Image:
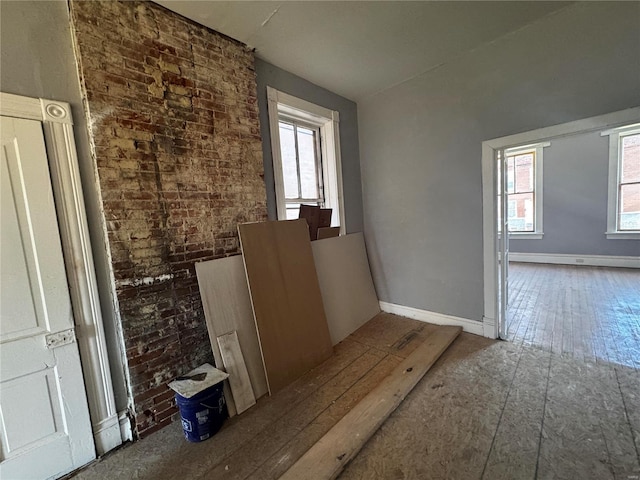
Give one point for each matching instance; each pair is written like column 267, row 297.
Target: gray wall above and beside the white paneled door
column 37, row 60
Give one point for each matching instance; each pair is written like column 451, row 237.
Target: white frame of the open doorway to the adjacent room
column 489, row 198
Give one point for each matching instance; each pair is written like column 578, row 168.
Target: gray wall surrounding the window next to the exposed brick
column 270, row 75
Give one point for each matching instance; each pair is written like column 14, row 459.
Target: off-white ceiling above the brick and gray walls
column 359, row 48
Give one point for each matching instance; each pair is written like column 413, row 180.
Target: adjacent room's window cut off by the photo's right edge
column 623, row 214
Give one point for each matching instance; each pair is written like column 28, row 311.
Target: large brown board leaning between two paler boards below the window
column 285, row 294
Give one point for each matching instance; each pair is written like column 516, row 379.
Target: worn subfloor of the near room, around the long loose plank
column 487, row 409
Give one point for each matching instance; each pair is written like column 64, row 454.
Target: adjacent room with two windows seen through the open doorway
column 573, row 244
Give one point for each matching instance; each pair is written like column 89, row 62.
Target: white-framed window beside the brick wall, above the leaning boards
column 305, row 146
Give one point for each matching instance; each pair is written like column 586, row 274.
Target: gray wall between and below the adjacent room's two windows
column 575, row 189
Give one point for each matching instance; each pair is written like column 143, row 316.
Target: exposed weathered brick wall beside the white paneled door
column 174, row 124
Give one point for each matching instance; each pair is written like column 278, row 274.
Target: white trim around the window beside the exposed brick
column 329, row 123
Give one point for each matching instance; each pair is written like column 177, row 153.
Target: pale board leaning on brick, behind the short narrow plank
column 227, row 307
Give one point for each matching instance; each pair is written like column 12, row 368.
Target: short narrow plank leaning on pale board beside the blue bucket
column 238, row 376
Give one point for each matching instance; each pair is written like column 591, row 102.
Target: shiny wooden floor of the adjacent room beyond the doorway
column 591, row 313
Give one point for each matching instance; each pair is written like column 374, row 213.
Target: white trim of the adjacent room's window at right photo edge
column 612, row 232
